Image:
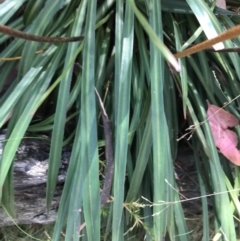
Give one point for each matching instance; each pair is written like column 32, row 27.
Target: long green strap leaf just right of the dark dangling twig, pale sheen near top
column 122, row 104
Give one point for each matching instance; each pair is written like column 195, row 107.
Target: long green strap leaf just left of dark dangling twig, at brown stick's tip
column 89, row 147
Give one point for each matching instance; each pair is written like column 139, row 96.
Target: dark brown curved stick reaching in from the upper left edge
column 19, row 34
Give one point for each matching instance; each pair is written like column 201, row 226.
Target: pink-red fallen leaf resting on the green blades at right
column 225, row 140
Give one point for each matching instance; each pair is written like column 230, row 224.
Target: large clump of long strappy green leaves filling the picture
column 127, row 54
